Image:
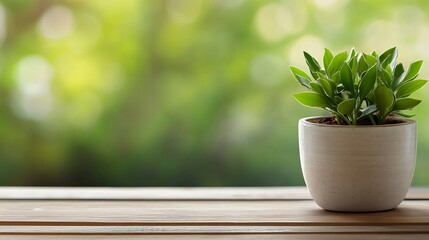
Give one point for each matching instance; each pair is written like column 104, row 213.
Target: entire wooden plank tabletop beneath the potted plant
column 198, row 213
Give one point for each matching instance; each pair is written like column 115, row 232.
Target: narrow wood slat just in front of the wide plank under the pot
column 180, row 230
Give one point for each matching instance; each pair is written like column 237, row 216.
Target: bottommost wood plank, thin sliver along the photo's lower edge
column 222, row 237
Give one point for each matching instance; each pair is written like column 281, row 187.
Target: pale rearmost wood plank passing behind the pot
column 167, row 193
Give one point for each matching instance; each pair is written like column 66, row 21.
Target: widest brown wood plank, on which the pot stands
column 245, row 213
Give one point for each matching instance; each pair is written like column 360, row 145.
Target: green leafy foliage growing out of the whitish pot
column 359, row 88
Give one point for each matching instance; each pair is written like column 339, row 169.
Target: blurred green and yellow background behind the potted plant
column 178, row 92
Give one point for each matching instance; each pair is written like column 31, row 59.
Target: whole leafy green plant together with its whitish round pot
column 362, row 158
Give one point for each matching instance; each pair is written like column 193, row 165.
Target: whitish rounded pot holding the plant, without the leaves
column 357, row 168
